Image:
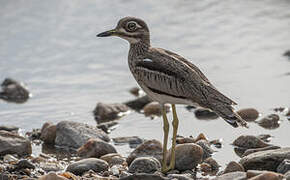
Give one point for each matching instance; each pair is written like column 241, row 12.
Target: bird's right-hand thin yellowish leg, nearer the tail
column 175, row 127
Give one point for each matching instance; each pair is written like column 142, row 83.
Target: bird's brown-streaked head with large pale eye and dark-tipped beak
column 132, row 29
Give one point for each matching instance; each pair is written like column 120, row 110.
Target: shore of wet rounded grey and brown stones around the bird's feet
column 74, row 150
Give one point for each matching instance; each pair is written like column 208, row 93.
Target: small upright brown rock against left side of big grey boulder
column 48, row 133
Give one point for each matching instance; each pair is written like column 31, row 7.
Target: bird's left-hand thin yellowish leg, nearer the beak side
column 165, row 139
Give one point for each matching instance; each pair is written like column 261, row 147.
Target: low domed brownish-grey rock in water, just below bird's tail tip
column 249, row 141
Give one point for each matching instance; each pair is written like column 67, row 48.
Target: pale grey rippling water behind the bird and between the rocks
column 51, row 46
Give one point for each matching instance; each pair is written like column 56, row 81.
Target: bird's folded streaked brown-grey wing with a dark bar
column 171, row 74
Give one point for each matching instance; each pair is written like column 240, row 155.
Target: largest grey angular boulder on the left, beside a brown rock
column 74, row 134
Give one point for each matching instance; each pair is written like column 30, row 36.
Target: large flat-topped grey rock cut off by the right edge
column 265, row 160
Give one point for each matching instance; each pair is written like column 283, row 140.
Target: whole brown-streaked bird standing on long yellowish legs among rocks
column 167, row 77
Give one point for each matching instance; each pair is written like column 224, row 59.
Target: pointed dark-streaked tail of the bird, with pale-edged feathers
column 230, row 116
